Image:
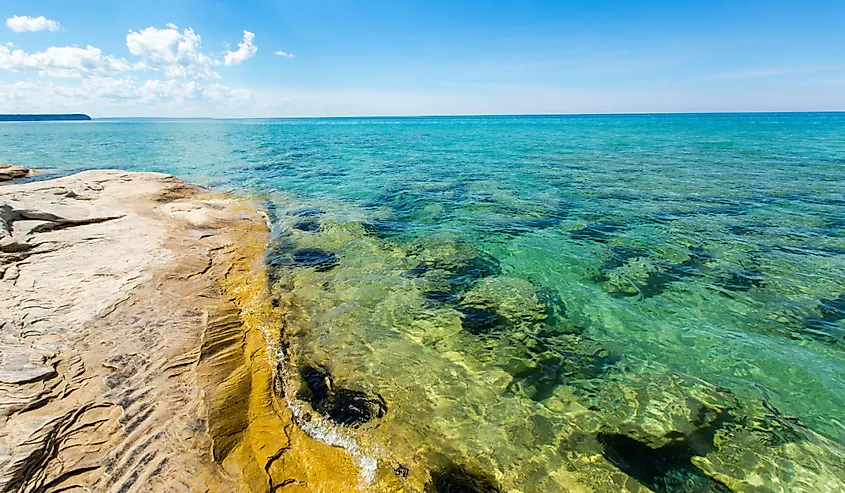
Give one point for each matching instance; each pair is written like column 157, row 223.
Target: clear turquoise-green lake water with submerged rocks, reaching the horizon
column 539, row 298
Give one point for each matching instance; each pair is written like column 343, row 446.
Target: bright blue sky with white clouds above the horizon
column 433, row 57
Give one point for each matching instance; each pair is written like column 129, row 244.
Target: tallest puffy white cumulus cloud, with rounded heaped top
column 177, row 54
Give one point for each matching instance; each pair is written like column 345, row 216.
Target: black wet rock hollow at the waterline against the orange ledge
column 344, row 407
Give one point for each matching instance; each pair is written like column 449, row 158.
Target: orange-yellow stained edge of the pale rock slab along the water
column 255, row 438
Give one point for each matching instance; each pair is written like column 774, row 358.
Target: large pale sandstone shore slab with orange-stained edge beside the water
column 134, row 326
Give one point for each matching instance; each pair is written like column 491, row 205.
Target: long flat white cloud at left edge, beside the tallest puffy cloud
column 62, row 62
